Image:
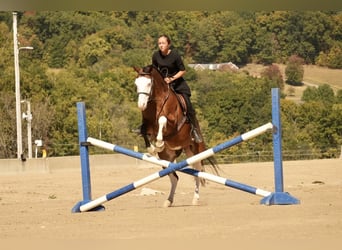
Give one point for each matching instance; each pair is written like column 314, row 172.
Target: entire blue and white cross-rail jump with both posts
column 278, row 197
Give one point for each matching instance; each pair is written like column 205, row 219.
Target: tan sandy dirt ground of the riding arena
column 36, row 205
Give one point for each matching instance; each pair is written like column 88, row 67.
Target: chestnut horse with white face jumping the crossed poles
column 166, row 130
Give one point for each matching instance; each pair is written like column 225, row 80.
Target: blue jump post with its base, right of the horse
column 278, row 197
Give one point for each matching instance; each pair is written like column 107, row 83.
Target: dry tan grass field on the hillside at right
column 313, row 76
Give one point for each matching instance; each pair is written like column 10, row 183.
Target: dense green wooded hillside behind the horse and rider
column 89, row 56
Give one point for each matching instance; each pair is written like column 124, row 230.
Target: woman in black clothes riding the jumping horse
column 171, row 65
